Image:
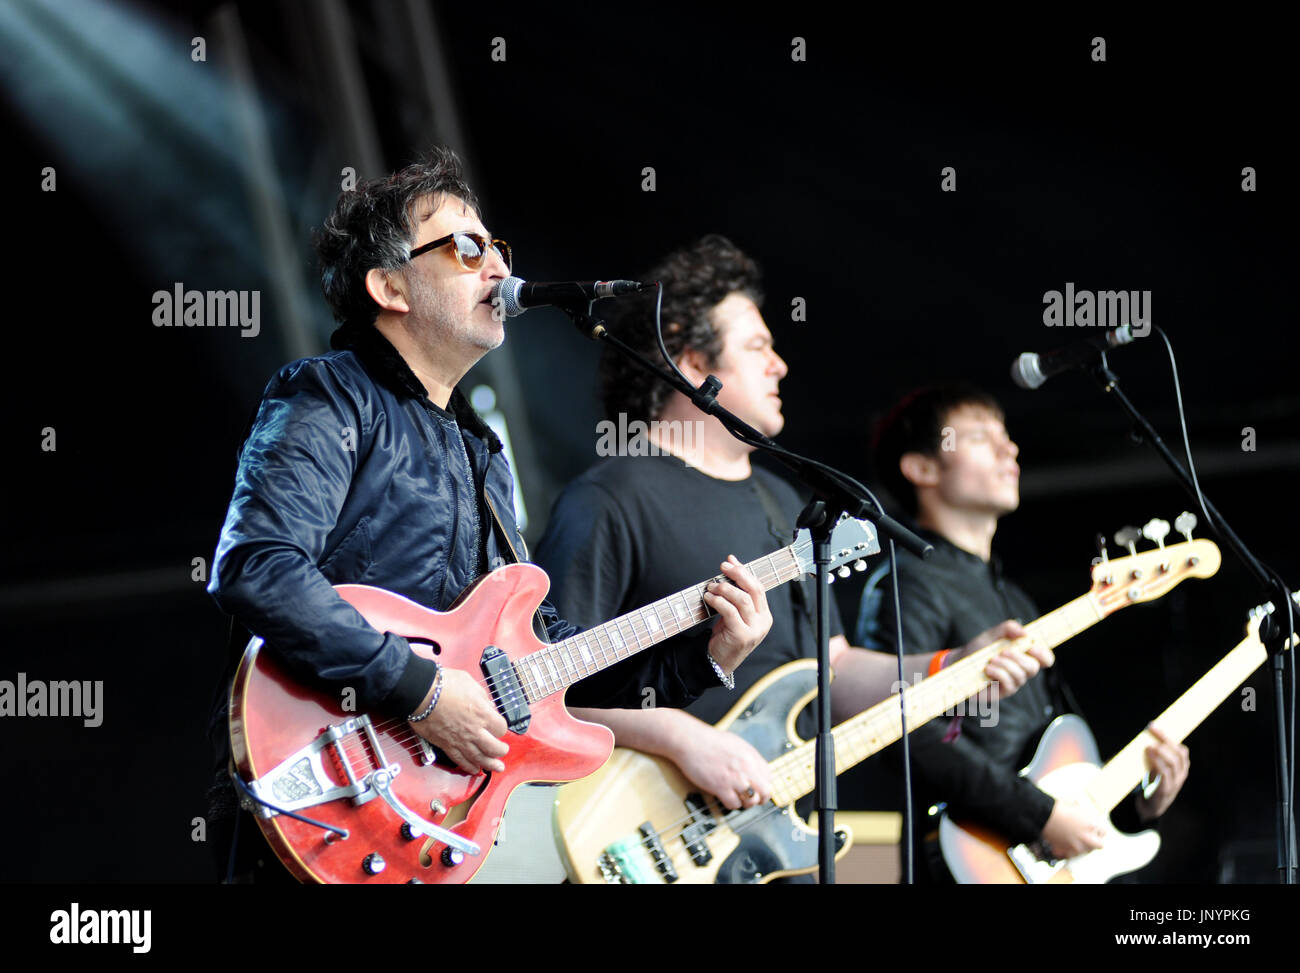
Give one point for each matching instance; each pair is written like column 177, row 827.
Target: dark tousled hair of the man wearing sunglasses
column 375, row 227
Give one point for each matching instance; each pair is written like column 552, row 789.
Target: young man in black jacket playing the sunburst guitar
column 946, row 456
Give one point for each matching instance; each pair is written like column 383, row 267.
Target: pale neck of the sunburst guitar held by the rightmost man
column 1128, row 768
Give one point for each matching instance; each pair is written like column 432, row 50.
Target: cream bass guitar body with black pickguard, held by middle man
column 599, row 820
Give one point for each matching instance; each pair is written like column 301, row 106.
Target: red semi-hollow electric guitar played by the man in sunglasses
column 401, row 812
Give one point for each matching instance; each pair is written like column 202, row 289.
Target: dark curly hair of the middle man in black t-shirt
column 696, row 280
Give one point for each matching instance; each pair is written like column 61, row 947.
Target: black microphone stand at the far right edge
column 1272, row 634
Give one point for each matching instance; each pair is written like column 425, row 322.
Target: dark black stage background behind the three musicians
column 1121, row 175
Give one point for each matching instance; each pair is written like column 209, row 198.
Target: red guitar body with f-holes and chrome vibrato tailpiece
column 275, row 717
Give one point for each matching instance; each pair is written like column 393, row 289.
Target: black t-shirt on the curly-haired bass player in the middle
column 634, row 530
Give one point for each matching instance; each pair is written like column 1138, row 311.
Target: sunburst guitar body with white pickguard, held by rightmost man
column 1064, row 766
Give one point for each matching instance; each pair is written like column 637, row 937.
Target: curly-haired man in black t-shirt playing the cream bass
column 642, row 526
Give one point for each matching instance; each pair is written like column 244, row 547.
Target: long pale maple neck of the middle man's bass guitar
column 882, row 725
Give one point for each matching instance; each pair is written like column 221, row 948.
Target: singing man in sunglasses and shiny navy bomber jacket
column 367, row 465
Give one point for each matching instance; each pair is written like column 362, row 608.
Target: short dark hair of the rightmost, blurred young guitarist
column 917, row 426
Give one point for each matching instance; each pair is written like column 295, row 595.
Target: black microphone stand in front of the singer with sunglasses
column 835, row 496
